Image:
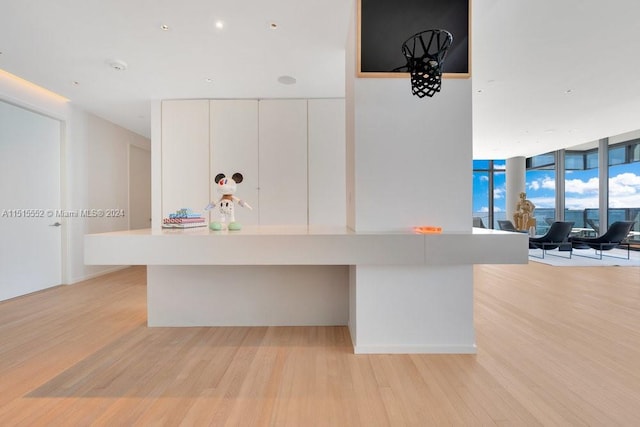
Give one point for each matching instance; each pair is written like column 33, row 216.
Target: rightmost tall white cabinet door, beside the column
column 327, row 181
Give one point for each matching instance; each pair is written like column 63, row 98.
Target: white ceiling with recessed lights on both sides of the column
column 547, row 74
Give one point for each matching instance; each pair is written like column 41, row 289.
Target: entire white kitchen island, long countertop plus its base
column 398, row 291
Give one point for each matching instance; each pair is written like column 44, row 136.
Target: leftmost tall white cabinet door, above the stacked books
column 185, row 155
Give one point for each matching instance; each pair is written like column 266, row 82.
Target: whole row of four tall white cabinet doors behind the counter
column 291, row 154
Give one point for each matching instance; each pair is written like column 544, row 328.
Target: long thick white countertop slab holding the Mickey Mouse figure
column 303, row 245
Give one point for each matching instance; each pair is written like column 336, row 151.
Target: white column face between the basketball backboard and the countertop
column 417, row 154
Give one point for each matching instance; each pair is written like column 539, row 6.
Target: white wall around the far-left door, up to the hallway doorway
column 94, row 169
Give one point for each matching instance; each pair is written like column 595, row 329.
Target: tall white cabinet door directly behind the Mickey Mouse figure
column 234, row 148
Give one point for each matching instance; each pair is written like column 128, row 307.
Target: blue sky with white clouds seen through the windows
column 581, row 188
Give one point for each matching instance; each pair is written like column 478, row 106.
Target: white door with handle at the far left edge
column 30, row 246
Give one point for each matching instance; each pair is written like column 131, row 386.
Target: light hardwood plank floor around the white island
column 556, row 346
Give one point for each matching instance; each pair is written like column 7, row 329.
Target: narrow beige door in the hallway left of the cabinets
column 139, row 188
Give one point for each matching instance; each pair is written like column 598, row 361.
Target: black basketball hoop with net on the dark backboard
column 425, row 53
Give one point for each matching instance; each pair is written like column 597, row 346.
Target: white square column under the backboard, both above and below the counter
column 408, row 164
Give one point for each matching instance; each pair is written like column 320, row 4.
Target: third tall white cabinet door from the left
column 283, row 162
